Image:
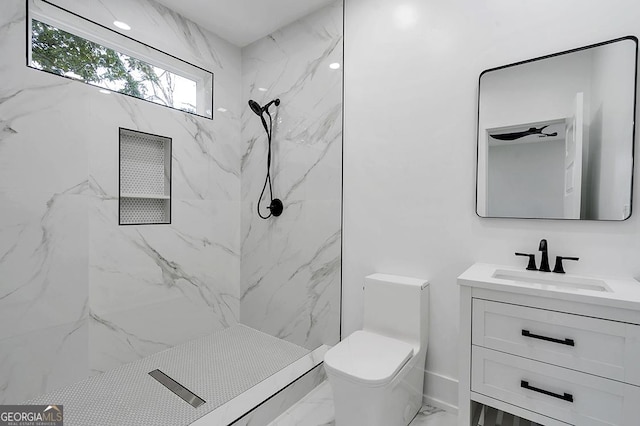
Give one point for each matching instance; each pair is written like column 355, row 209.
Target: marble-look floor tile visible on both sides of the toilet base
column 316, row 409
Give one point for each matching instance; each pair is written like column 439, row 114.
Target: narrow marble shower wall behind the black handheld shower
column 290, row 268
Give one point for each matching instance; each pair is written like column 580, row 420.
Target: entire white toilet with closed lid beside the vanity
column 377, row 373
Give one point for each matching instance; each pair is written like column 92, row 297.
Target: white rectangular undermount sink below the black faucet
column 552, row 280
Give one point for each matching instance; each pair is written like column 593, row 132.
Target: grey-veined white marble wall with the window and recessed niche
column 78, row 293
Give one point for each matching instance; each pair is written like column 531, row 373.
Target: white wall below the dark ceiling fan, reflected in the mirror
column 526, row 179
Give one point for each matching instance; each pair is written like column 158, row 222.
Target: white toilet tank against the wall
column 397, row 307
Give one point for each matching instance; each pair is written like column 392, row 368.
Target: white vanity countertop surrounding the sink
column 624, row 292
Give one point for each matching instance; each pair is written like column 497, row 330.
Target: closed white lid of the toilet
column 368, row 357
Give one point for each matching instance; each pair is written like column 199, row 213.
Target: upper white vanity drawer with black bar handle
column 605, row 348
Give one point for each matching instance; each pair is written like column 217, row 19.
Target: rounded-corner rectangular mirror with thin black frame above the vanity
column 556, row 135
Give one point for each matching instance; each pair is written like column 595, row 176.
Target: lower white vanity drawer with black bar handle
column 566, row 395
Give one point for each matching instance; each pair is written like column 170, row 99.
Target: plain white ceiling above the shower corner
column 244, row 21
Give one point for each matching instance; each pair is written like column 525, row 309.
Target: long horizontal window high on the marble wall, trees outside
column 73, row 47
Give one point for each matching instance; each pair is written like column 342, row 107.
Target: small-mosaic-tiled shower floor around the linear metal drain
column 216, row 368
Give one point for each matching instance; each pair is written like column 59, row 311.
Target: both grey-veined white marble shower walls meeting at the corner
column 79, row 294
